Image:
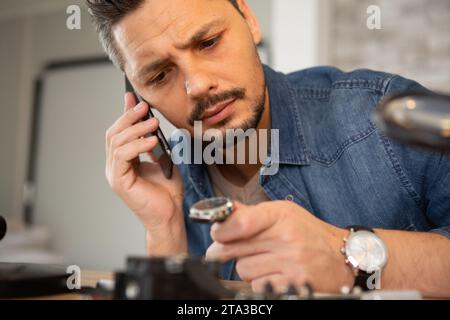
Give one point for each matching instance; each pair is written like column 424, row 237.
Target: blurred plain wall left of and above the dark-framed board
column 35, row 34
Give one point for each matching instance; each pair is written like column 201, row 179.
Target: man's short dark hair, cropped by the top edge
column 107, row 13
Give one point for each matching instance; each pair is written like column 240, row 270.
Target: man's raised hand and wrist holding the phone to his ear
column 156, row 201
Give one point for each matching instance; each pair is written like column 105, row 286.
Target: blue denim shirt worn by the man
column 334, row 162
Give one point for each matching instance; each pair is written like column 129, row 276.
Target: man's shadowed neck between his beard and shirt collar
column 240, row 174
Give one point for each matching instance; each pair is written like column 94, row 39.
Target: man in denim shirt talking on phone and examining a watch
column 197, row 60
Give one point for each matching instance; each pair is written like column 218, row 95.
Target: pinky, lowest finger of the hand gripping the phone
column 124, row 155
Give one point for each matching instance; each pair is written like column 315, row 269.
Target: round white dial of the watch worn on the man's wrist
column 366, row 251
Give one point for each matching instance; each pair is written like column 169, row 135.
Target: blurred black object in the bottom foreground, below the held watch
column 174, row 278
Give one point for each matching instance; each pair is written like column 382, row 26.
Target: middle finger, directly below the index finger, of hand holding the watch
column 224, row 252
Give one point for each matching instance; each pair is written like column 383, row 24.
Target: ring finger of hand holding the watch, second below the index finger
column 257, row 266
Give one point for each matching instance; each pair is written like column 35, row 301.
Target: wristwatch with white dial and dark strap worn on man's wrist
column 366, row 254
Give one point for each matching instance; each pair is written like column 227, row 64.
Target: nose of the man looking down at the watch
column 199, row 82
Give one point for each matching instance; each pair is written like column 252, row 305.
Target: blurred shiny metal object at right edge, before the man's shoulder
column 421, row 119
